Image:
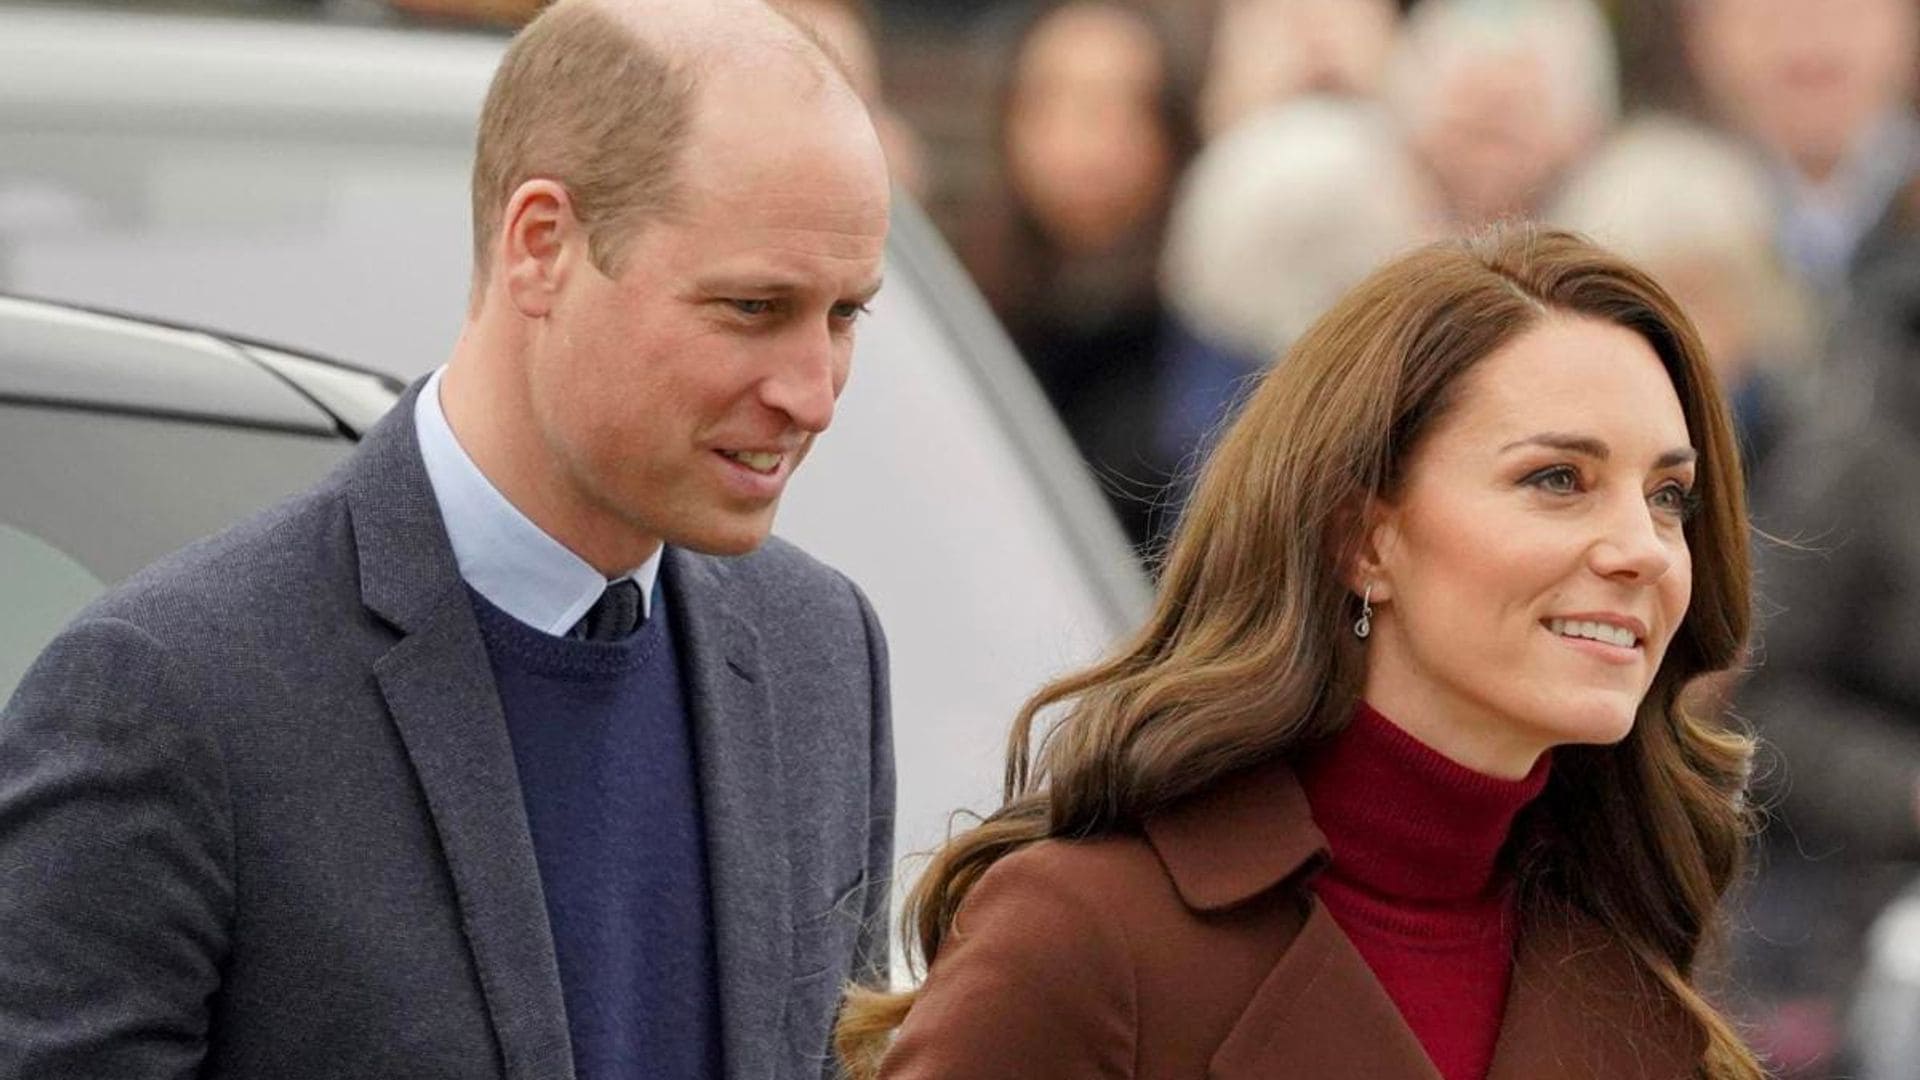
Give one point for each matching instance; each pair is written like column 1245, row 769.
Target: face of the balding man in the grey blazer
column 679, row 397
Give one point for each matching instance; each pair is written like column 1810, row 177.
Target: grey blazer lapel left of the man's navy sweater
column 441, row 693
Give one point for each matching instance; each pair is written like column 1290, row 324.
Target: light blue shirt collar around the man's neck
column 500, row 552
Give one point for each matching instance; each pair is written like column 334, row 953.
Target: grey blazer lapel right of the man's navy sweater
column 742, row 800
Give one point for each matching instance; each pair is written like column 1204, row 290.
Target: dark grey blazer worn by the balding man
column 260, row 816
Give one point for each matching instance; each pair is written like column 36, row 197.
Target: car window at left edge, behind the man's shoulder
column 89, row 499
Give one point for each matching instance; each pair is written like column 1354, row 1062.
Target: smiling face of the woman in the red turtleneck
column 1535, row 566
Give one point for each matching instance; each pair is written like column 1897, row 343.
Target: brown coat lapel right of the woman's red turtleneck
column 1581, row 1010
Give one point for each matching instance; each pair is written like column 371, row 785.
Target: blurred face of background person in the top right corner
column 1806, row 76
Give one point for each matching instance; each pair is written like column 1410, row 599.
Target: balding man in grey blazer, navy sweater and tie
column 516, row 749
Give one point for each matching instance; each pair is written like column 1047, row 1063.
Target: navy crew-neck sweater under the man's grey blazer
column 604, row 745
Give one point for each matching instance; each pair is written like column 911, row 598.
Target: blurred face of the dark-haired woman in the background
column 1084, row 137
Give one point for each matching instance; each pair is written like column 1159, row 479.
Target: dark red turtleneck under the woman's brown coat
column 1416, row 843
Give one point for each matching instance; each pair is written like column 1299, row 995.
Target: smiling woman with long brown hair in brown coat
column 1395, row 783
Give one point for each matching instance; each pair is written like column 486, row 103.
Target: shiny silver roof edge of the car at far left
column 70, row 356
